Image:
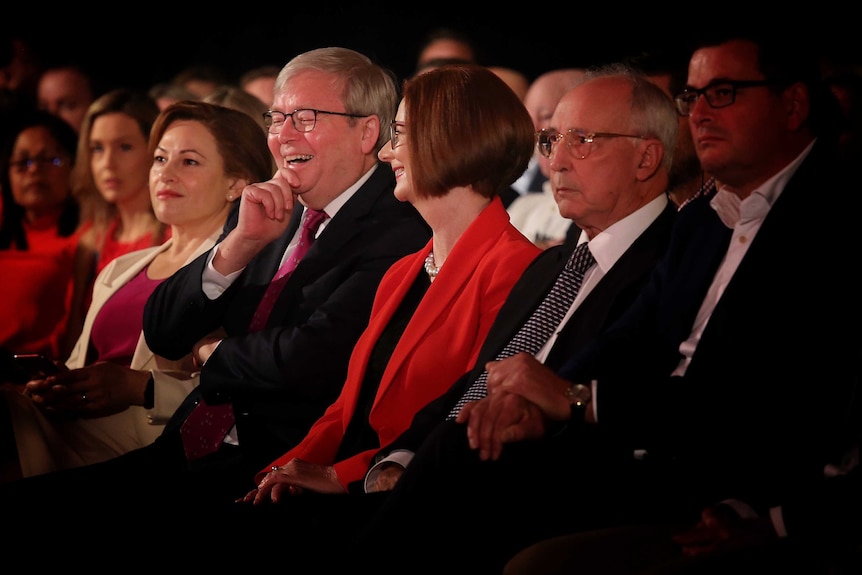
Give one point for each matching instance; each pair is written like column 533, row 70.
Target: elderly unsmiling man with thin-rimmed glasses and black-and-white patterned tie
column 610, row 148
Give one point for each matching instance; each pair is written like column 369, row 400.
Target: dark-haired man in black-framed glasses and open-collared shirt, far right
column 720, row 396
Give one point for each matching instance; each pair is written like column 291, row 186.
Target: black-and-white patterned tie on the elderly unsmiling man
column 538, row 328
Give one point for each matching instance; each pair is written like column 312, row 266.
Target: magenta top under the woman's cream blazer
column 118, row 324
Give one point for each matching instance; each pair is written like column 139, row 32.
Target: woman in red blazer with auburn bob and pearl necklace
column 460, row 137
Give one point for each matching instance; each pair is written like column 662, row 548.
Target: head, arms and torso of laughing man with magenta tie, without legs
column 281, row 351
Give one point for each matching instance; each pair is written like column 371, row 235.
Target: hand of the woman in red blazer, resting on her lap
column 291, row 479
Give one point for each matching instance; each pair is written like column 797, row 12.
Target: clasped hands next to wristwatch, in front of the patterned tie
column 523, row 395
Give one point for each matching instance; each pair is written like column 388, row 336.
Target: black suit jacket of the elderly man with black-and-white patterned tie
column 605, row 303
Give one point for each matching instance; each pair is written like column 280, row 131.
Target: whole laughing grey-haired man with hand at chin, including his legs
column 268, row 371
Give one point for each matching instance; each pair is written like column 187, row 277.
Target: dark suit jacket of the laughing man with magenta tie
column 281, row 379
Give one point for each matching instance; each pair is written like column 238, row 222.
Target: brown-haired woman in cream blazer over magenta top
column 114, row 394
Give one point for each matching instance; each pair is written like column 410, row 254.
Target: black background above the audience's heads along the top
column 141, row 44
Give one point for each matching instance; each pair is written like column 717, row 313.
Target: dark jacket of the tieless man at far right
column 757, row 413
